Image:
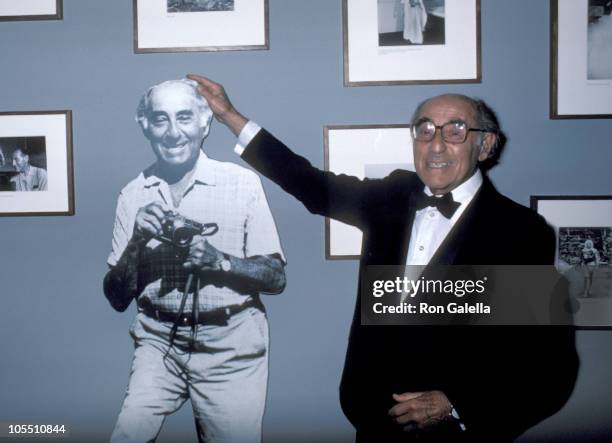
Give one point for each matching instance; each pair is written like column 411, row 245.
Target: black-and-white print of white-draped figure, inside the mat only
column 411, row 22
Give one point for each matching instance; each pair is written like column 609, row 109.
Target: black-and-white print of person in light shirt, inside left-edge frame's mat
column 23, row 164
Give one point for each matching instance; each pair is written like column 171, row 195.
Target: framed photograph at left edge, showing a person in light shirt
column 36, row 176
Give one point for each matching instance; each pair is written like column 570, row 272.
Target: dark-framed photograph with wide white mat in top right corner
column 581, row 59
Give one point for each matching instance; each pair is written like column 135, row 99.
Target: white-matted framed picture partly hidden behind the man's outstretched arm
column 372, row 151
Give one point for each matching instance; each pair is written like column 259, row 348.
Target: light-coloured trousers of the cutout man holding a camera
column 225, row 377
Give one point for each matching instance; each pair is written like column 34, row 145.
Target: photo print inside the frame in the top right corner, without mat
column 599, row 45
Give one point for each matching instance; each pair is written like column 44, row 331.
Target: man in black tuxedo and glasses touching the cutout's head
column 431, row 383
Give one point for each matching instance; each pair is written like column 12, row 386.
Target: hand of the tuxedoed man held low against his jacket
column 420, row 410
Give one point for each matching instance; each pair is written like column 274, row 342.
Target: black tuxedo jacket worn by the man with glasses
column 501, row 380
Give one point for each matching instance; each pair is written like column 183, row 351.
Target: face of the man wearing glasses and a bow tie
column 441, row 165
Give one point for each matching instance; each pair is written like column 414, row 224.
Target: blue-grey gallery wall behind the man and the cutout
column 66, row 354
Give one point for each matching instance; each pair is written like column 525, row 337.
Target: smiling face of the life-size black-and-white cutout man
column 174, row 125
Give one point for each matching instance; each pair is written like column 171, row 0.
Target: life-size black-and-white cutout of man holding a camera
column 201, row 331
